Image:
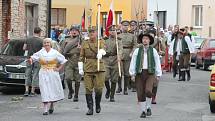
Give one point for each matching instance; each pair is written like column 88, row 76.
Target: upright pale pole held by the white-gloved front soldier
column 99, row 9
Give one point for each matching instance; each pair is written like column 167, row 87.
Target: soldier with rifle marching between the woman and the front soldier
column 71, row 50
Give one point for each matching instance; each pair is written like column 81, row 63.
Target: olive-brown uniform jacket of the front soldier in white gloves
column 88, row 56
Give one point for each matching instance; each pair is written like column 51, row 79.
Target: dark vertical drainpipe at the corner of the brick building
column 49, row 4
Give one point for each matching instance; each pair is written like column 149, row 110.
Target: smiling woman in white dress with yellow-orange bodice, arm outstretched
column 51, row 62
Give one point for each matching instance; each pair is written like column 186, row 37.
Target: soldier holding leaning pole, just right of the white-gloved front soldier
column 112, row 57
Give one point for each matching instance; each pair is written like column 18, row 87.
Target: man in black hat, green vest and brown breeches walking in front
column 144, row 68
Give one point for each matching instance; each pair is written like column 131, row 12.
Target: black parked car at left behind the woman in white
column 13, row 63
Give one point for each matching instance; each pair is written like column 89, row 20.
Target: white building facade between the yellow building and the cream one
column 163, row 12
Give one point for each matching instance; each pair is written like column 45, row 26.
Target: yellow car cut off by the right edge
column 212, row 90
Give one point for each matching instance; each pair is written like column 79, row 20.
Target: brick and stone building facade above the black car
column 19, row 17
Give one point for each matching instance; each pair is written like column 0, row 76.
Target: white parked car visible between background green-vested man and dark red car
column 198, row 42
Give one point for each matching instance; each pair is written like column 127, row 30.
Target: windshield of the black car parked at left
column 14, row 48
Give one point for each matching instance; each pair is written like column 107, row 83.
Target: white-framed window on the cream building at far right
column 198, row 15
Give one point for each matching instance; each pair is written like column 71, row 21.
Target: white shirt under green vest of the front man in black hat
column 132, row 68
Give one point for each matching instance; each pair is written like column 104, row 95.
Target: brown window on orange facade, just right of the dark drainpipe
column 58, row 16
